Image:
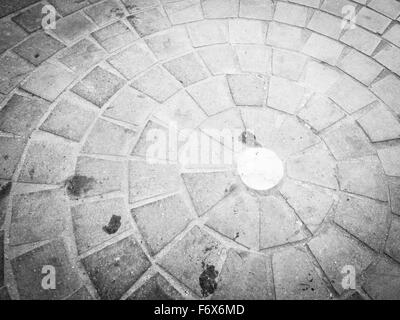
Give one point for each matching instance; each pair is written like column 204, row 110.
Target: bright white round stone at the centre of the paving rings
column 260, row 168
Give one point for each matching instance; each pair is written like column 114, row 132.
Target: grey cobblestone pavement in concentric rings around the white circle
column 78, row 104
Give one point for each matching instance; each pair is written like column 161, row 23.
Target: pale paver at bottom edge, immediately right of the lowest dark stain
column 243, row 269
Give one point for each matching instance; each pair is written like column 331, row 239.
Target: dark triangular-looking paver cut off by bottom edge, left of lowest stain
column 156, row 288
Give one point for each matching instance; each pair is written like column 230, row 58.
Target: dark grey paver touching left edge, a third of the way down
column 21, row 115
